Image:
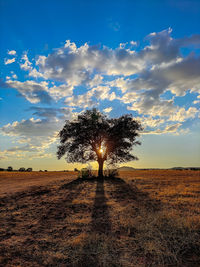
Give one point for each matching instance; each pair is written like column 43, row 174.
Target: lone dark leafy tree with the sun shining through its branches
column 93, row 136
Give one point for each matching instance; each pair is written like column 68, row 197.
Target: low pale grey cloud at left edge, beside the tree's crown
column 36, row 135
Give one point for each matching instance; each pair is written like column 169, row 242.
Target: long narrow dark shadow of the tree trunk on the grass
column 100, row 214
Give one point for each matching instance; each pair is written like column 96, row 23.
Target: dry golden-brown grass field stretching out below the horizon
column 141, row 218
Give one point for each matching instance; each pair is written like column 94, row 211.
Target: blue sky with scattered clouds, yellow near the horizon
column 59, row 58
